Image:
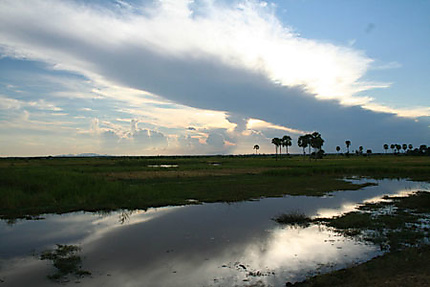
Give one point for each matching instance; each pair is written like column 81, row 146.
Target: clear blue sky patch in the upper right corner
column 393, row 33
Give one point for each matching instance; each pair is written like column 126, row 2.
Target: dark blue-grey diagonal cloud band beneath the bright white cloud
column 208, row 84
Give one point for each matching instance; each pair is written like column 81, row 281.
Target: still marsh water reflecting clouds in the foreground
column 216, row 244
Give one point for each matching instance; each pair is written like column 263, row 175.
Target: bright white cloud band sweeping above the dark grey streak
column 244, row 35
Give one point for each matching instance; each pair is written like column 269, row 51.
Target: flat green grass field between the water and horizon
column 31, row 186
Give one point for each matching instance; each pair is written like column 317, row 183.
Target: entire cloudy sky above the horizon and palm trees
column 183, row 77
